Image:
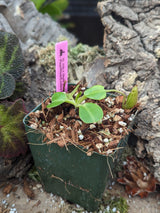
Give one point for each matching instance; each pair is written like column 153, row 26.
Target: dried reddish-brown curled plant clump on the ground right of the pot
column 137, row 178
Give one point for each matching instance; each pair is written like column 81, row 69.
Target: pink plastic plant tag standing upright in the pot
column 61, row 59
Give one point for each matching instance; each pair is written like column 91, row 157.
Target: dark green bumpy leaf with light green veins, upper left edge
column 11, row 63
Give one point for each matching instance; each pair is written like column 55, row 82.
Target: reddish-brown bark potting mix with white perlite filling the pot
column 63, row 126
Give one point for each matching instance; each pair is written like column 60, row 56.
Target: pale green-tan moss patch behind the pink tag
column 79, row 57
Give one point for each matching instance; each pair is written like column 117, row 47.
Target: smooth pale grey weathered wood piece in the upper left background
column 30, row 26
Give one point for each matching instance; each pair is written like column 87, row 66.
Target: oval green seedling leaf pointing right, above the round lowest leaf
column 96, row 92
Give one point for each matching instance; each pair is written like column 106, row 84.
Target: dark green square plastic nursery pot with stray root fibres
column 70, row 173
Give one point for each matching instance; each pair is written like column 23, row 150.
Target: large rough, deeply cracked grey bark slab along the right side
column 132, row 45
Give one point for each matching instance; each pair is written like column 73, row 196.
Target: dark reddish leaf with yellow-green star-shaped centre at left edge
column 12, row 134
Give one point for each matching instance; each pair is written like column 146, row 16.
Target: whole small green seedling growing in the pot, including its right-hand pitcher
column 91, row 112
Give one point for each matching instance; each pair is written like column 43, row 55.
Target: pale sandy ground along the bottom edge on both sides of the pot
column 18, row 202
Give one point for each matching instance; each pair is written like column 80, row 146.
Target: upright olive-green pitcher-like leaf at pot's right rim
column 131, row 99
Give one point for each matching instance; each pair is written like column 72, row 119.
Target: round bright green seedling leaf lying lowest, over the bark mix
column 90, row 113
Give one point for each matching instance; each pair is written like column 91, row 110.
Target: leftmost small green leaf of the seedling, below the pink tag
column 58, row 98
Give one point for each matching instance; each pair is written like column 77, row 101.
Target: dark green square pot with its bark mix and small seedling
column 75, row 137
